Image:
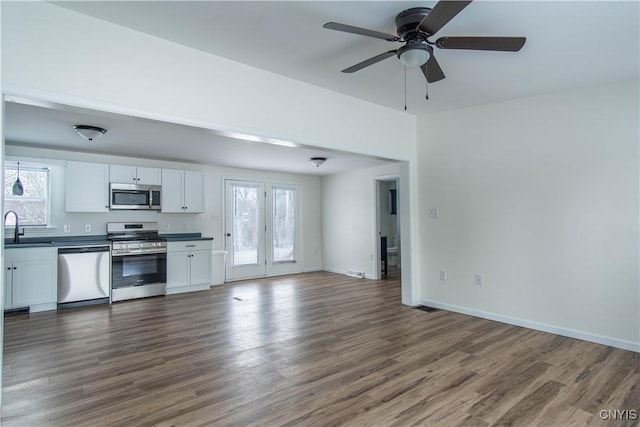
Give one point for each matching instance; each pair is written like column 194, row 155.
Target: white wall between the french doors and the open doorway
column 348, row 220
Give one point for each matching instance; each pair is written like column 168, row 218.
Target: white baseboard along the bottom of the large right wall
column 571, row 333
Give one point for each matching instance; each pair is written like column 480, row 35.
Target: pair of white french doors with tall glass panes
column 261, row 221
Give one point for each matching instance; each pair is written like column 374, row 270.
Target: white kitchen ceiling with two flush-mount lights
column 51, row 126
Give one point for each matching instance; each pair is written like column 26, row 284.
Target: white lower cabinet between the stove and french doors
column 188, row 266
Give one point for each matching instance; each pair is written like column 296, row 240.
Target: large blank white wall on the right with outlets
column 540, row 195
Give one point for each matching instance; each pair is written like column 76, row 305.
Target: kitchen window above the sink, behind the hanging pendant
column 33, row 206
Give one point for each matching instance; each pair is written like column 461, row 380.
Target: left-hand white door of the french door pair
column 245, row 229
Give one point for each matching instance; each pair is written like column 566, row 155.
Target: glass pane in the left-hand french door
column 245, row 225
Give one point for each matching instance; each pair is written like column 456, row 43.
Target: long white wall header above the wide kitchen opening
column 68, row 57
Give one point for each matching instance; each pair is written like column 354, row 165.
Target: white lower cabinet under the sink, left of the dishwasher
column 31, row 278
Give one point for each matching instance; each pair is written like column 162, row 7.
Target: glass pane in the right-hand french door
column 284, row 224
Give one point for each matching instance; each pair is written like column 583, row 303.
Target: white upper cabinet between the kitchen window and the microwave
column 86, row 187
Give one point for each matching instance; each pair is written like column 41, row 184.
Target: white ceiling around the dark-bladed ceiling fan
column 569, row 44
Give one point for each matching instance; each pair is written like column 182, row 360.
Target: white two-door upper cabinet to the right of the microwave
column 182, row 191
